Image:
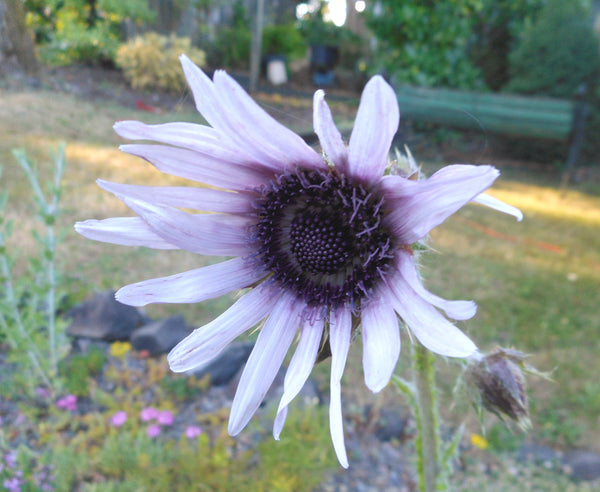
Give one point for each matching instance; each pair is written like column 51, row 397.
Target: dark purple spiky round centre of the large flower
column 321, row 236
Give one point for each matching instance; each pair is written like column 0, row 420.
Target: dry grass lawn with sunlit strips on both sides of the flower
column 537, row 283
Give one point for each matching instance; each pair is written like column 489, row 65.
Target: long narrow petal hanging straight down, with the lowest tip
column 340, row 333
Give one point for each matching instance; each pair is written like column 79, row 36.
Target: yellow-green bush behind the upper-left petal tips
column 151, row 61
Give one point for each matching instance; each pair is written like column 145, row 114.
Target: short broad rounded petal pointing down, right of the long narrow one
column 381, row 342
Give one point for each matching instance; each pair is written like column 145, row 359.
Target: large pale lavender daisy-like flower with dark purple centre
column 324, row 242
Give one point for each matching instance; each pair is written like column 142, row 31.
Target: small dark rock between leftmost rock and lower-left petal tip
column 159, row 337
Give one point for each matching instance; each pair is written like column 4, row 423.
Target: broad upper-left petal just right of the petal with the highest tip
column 263, row 129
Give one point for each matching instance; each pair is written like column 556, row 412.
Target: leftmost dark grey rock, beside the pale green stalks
column 103, row 318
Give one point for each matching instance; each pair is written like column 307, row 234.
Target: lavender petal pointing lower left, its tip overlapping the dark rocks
column 206, row 342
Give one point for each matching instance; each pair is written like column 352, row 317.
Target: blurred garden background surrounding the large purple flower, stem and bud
column 512, row 83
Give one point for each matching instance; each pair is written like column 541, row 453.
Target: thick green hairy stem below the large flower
column 428, row 438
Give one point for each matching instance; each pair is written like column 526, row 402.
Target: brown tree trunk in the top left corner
column 15, row 35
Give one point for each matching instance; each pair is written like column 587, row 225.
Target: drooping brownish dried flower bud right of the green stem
column 500, row 382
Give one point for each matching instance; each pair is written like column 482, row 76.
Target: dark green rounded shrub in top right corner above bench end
column 557, row 53
